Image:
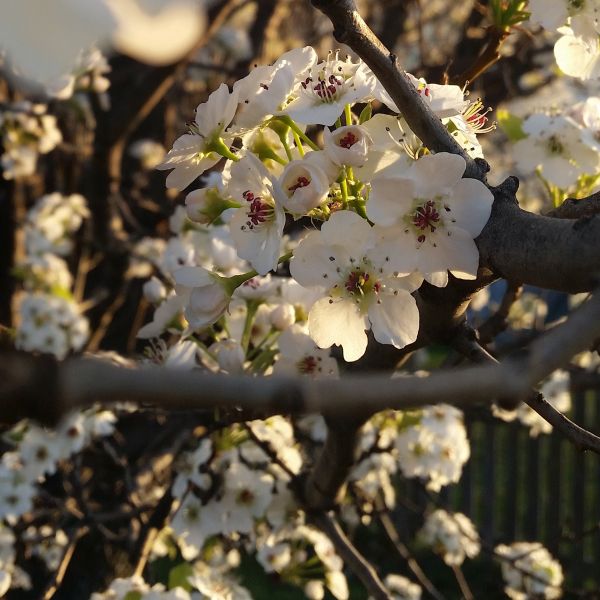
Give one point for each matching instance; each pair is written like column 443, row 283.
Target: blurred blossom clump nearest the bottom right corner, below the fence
column 530, row 571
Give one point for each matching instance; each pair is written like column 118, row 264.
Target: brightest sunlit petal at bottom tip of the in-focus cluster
column 338, row 322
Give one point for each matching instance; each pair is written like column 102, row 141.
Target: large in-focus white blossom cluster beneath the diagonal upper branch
column 393, row 215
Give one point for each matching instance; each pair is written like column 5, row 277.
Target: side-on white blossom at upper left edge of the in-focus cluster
column 195, row 152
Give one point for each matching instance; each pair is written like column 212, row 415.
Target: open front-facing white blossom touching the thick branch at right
column 436, row 213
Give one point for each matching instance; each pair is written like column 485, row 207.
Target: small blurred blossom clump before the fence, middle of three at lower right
column 453, row 536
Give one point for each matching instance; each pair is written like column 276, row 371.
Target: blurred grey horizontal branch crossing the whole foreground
column 81, row 382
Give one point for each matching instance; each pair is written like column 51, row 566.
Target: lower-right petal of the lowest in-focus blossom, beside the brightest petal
column 395, row 319
